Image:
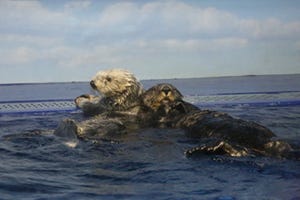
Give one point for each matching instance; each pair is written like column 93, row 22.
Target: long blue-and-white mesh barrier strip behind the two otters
column 63, row 105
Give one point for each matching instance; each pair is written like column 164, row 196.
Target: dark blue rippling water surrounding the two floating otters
column 149, row 164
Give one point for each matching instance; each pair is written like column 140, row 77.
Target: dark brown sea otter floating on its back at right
column 217, row 132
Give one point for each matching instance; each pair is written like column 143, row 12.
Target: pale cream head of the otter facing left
column 115, row 82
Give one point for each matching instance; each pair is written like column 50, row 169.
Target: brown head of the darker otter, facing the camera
column 163, row 94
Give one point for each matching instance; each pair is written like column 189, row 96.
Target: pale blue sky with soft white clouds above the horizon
column 58, row 40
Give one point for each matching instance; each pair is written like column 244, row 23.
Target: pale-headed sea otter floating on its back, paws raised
column 118, row 111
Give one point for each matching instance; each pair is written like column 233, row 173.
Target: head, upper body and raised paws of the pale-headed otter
column 120, row 89
